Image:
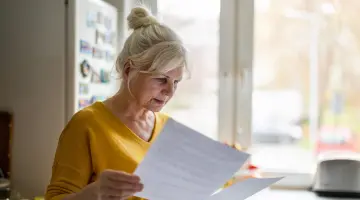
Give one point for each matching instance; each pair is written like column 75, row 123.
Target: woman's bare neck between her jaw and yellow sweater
column 123, row 102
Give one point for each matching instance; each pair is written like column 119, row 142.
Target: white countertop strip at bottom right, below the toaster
column 276, row 194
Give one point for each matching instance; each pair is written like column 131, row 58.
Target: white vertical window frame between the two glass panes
column 236, row 74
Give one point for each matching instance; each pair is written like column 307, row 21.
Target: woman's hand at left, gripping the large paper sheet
column 112, row 185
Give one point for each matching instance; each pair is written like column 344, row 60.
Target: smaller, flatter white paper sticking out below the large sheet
column 244, row 189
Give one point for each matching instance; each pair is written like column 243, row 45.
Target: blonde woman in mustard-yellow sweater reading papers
column 102, row 144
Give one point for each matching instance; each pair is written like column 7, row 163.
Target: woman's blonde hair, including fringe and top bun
column 152, row 47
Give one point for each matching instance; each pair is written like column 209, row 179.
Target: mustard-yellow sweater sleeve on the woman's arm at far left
column 72, row 166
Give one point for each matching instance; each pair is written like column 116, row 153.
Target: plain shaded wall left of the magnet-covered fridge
column 32, row 85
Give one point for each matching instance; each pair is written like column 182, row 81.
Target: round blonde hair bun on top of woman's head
column 140, row 17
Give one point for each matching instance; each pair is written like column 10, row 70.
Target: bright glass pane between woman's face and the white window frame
column 196, row 100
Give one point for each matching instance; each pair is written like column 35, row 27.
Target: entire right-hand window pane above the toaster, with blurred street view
column 305, row 67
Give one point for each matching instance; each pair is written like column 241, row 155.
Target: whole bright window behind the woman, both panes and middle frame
column 279, row 77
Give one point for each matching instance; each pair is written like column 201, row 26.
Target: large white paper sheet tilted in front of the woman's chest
column 184, row 164
